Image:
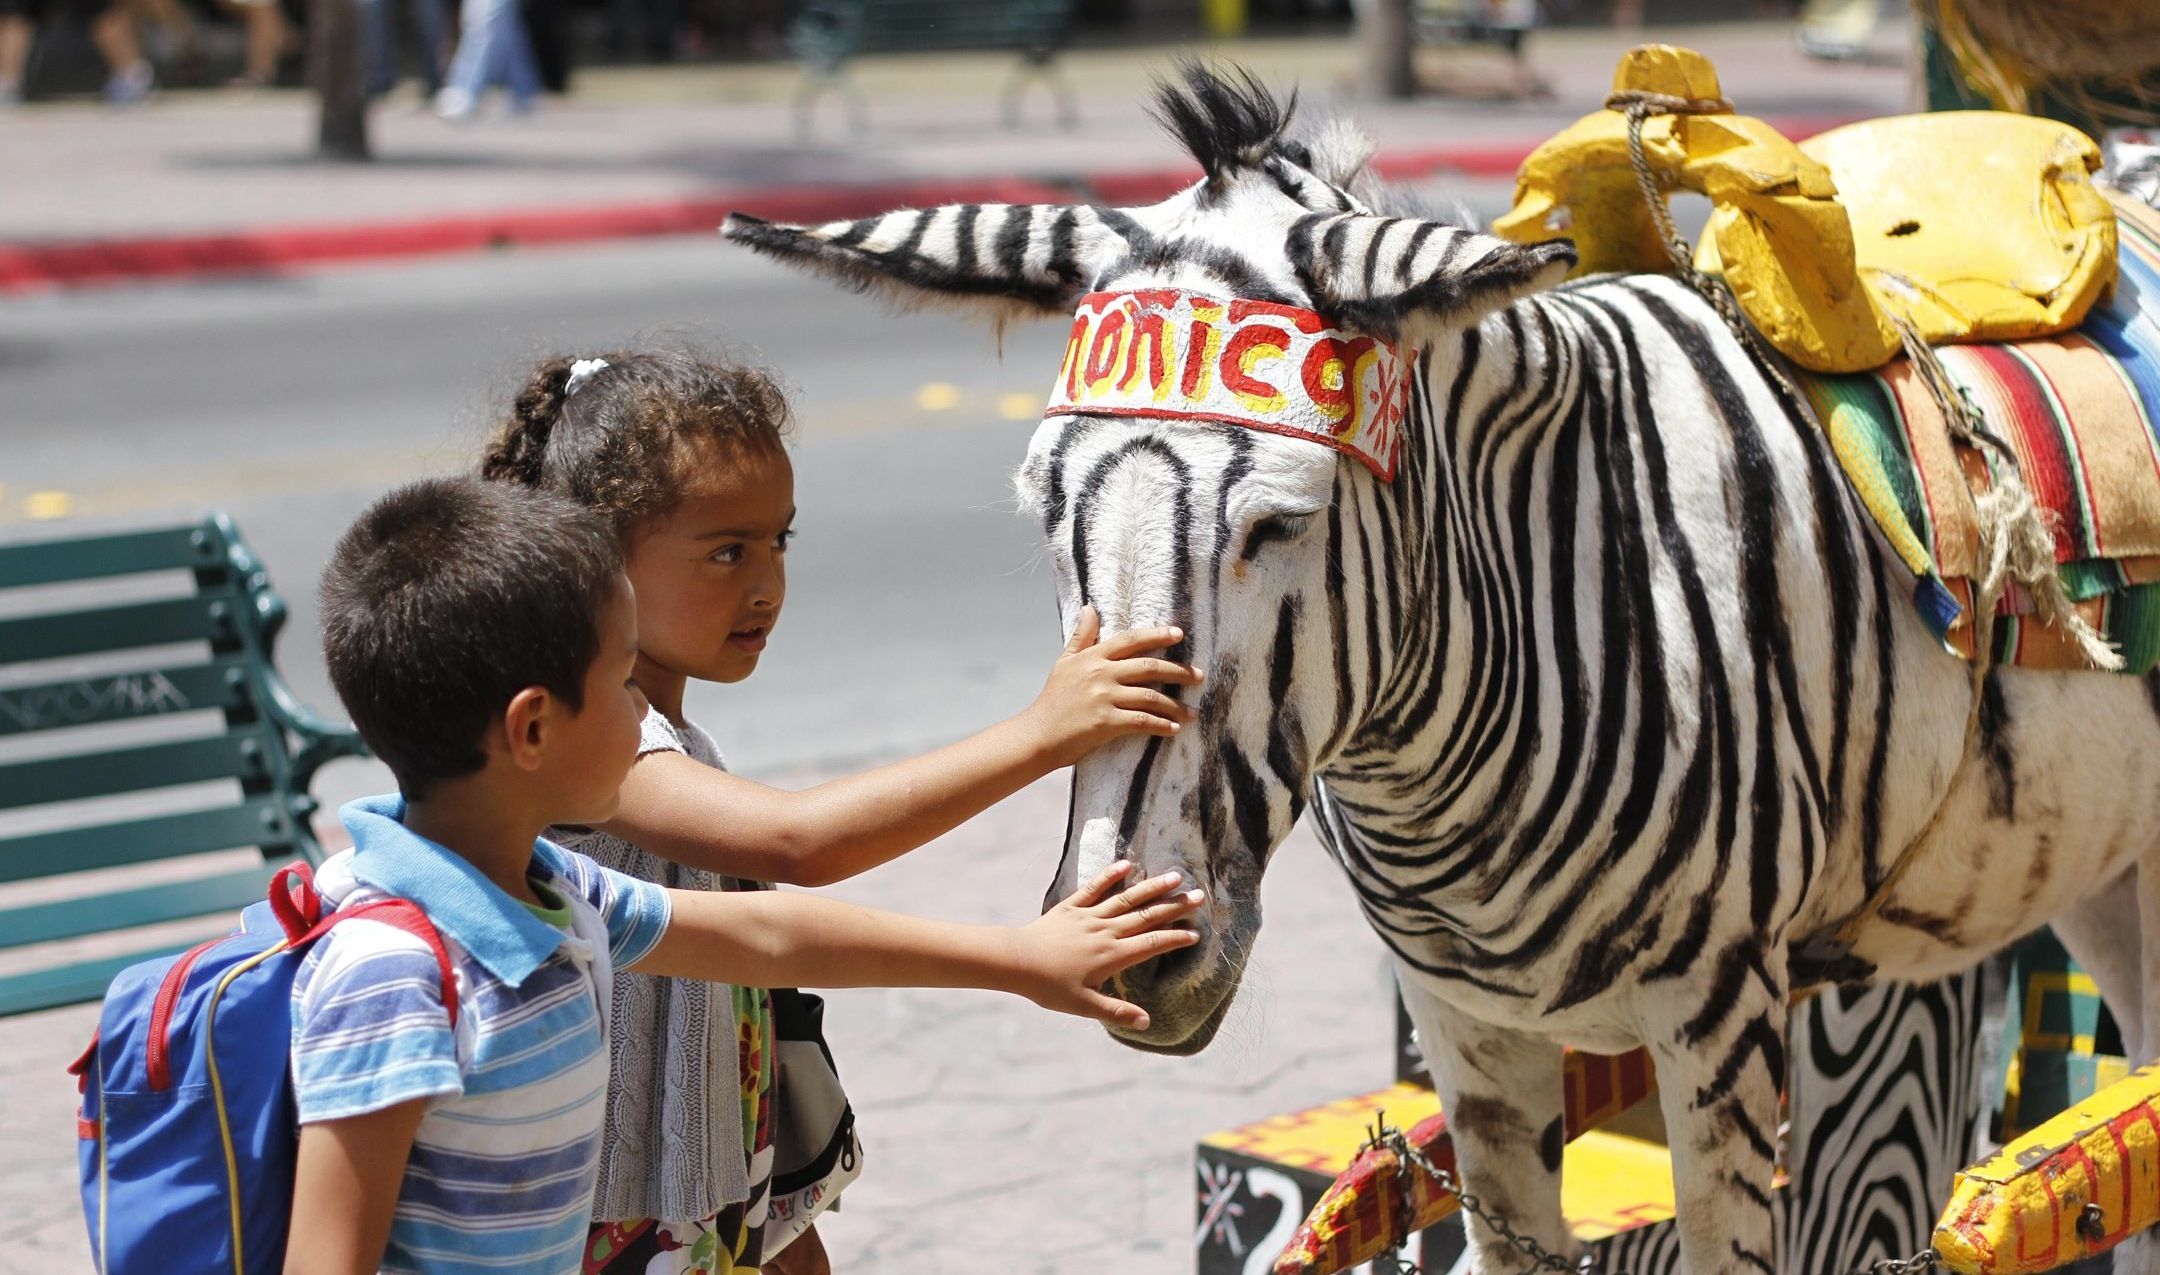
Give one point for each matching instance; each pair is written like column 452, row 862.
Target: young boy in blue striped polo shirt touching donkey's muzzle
column 483, row 639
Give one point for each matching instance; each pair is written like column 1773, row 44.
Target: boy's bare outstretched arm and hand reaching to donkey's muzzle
column 768, row 939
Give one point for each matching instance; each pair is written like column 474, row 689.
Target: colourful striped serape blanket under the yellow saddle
column 2083, row 416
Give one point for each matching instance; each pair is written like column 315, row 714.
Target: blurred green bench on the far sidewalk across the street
column 828, row 33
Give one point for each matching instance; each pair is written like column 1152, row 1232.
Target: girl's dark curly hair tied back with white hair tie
column 625, row 440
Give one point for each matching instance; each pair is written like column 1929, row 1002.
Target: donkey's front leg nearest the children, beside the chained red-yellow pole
column 1502, row 1099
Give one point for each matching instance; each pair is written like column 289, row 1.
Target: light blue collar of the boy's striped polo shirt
column 507, row 939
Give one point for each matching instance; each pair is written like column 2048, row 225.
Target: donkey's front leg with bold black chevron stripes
column 1720, row 1066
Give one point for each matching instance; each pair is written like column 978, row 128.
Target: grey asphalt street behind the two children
column 915, row 606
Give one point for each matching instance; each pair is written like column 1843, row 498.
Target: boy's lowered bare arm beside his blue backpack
column 345, row 1190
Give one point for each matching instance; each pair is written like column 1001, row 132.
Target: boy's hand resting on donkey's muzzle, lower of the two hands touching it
column 1079, row 945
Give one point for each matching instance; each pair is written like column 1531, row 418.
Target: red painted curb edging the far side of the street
column 44, row 265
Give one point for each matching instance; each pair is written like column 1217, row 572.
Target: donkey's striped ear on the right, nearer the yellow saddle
column 1396, row 278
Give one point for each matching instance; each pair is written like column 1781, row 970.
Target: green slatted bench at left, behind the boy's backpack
column 103, row 706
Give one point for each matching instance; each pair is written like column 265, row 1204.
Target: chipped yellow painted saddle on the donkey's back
column 1971, row 226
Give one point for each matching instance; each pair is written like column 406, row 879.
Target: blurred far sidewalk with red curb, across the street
column 662, row 150
